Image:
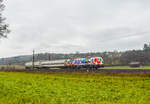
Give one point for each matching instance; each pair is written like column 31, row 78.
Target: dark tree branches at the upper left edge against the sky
column 3, row 26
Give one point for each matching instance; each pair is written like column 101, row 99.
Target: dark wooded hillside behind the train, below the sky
column 110, row 58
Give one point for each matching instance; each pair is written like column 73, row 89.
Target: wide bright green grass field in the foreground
column 73, row 88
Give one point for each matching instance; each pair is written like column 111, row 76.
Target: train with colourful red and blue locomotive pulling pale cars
column 72, row 63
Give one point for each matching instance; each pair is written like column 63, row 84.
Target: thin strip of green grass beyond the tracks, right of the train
column 126, row 67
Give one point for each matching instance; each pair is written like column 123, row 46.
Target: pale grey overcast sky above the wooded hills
column 75, row 25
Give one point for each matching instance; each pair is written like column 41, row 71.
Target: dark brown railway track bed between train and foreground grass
column 83, row 70
